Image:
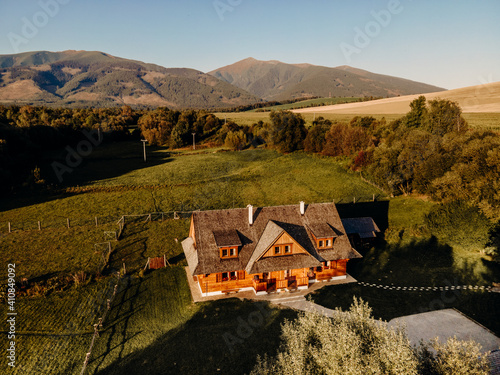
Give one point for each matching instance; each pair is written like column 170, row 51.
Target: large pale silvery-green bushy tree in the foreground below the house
column 351, row 342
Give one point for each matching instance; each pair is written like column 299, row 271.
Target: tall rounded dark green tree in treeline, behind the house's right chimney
column 287, row 131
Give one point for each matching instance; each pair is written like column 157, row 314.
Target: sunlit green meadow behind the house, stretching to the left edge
column 181, row 181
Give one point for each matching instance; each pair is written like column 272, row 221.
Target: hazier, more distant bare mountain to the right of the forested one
column 274, row 80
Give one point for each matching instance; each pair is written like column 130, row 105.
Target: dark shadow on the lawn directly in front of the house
column 223, row 337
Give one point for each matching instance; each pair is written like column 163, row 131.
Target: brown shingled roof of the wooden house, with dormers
column 269, row 223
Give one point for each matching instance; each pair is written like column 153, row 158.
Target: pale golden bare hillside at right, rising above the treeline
column 472, row 99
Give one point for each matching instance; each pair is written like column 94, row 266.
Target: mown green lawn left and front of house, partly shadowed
column 152, row 327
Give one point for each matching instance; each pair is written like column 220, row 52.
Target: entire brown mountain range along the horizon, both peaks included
column 92, row 78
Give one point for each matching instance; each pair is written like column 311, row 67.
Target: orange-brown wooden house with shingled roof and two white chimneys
column 267, row 249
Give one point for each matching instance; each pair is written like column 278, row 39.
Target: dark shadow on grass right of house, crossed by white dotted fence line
column 424, row 262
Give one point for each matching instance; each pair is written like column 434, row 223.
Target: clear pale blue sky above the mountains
column 448, row 43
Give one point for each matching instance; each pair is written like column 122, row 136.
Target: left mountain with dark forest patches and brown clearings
column 82, row 78
